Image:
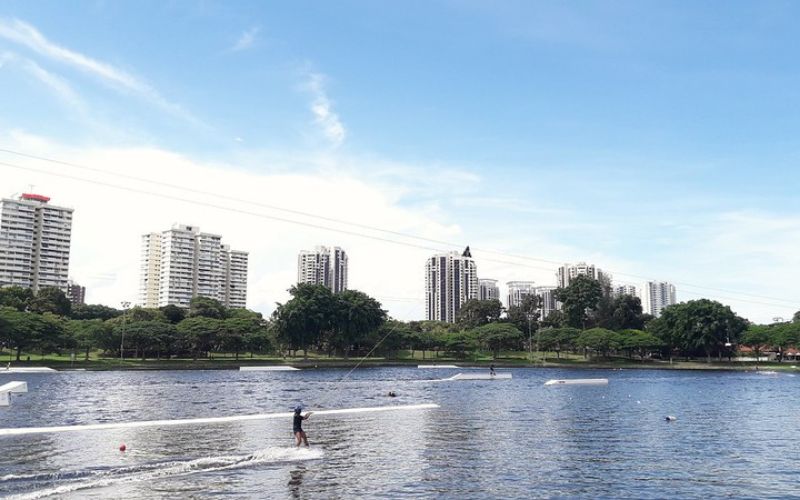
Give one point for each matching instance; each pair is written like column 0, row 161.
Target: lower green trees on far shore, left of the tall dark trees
column 46, row 323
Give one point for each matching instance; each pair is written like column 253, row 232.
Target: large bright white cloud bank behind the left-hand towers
column 108, row 222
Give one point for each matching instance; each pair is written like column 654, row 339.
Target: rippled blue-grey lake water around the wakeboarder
column 736, row 435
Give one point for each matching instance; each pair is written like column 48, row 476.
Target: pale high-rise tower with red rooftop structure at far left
column 34, row 242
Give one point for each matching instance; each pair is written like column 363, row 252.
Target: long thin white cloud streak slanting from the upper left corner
column 24, row 34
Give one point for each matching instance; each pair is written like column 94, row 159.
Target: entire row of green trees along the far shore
column 591, row 321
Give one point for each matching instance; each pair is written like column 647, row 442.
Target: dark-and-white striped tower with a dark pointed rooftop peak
column 450, row 280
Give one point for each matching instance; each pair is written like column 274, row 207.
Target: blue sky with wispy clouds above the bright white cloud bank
column 653, row 138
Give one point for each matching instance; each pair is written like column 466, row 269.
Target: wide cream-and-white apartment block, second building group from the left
column 182, row 263
